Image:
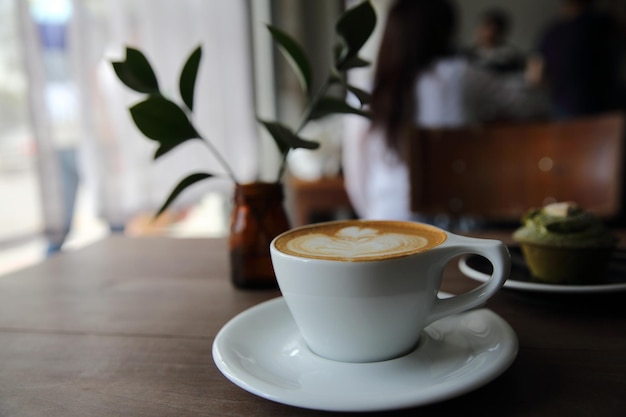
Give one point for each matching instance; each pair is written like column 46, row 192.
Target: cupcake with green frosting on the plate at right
column 563, row 244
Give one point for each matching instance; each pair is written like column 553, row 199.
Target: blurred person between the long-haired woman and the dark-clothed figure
column 492, row 50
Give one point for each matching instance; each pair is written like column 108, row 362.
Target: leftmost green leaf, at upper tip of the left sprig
column 136, row 72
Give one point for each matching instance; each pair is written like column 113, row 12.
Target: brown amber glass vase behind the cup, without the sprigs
column 258, row 216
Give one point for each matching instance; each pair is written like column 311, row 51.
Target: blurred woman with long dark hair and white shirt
column 420, row 80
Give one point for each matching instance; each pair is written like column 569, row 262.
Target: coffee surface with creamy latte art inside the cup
column 359, row 240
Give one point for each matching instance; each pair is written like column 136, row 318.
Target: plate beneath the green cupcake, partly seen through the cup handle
column 615, row 280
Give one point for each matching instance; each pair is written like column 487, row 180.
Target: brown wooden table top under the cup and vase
column 125, row 327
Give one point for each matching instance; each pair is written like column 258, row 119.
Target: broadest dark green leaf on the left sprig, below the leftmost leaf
column 164, row 121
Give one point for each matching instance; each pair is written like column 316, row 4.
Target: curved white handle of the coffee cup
column 495, row 251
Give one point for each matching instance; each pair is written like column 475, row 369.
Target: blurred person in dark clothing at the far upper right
column 581, row 54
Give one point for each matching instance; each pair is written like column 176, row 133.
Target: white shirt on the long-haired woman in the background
column 452, row 94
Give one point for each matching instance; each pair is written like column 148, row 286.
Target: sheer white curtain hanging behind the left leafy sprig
column 115, row 160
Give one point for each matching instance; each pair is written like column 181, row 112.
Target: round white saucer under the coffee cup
column 261, row 351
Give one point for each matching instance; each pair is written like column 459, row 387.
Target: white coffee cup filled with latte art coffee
column 362, row 291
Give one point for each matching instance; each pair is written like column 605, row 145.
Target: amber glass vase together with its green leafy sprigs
column 258, row 214
